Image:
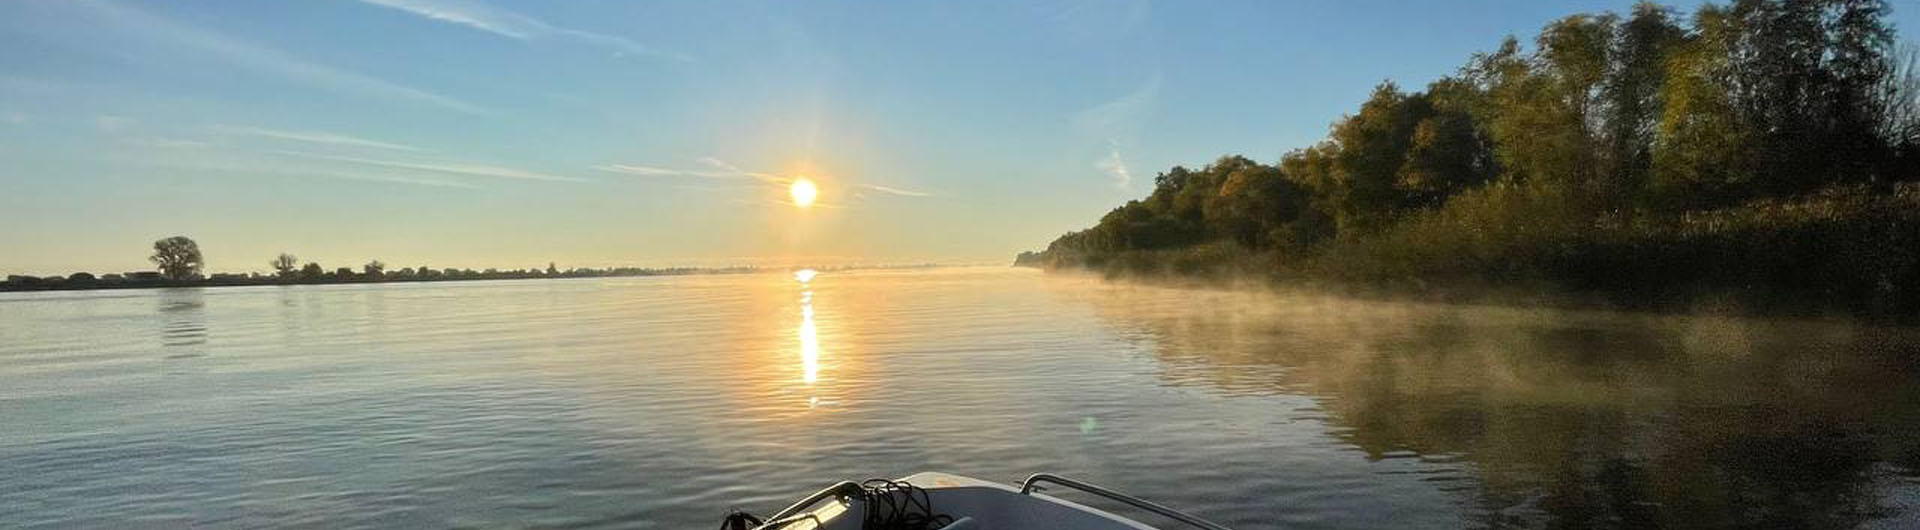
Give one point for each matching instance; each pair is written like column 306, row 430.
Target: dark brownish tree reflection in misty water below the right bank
column 1577, row 420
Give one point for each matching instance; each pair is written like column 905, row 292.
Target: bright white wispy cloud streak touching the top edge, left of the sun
column 517, row 26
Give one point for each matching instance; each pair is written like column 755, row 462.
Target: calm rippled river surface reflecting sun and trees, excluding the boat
column 665, row 402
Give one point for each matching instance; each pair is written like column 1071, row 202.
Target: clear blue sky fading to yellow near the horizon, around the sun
column 598, row 133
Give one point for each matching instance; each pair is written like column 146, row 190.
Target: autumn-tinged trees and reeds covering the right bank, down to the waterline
column 1764, row 151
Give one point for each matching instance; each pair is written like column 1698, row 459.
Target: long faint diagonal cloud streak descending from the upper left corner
column 262, row 59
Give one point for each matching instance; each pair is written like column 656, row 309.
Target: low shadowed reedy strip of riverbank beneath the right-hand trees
column 1846, row 251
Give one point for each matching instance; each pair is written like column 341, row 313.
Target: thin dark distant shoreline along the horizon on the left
column 224, row 281
